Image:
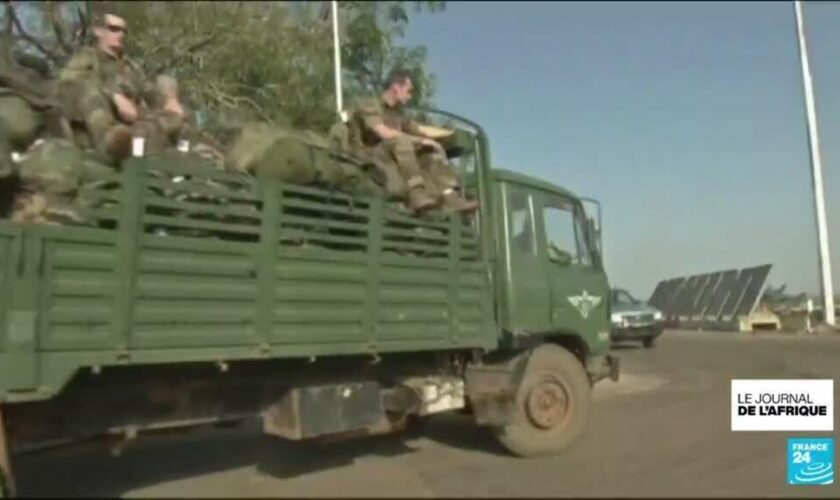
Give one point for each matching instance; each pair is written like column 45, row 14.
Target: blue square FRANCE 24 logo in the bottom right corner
column 811, row 461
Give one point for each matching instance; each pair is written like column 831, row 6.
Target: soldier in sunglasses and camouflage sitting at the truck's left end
column 108, row 99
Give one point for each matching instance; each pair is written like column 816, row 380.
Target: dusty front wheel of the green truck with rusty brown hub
column 553, row 373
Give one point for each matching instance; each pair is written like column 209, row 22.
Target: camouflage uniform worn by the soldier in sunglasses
column 86, row 86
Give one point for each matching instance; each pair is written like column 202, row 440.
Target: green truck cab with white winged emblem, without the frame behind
column 552, row 283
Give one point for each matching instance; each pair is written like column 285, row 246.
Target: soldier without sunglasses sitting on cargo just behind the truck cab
column 412, row 161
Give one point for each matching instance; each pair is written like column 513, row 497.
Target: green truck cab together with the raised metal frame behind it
column 544, row 247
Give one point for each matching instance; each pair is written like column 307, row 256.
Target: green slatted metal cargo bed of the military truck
column 185, row 264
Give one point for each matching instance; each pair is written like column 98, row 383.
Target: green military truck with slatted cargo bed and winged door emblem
column 200, row 297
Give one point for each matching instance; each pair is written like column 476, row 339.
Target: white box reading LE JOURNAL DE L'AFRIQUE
column 764, row 397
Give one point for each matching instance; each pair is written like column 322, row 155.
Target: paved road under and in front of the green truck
column 662, row 430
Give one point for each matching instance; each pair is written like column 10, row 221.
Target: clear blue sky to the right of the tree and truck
column 685, row 120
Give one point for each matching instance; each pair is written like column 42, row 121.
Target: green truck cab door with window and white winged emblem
column 579, row 289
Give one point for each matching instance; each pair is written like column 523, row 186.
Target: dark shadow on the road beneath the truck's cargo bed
column 94, row 472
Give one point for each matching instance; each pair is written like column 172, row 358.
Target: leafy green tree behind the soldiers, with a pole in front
column 240, row 61
